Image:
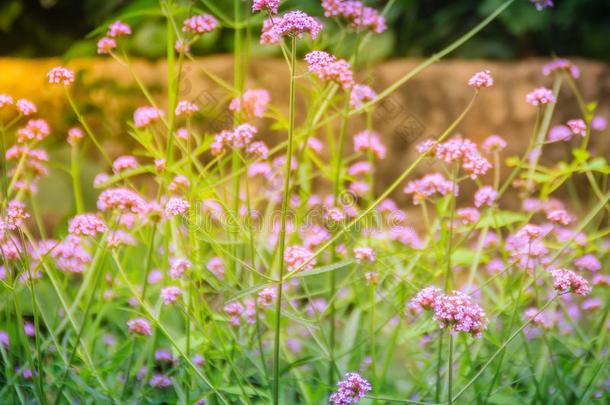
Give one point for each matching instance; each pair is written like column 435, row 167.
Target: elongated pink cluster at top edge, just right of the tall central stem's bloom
column 356, row 13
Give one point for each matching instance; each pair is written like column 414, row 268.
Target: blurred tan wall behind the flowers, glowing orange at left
column 420, row 109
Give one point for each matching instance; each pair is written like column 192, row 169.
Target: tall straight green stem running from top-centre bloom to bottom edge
column 282, row 236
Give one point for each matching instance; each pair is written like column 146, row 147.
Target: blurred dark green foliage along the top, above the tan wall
column 31, row 28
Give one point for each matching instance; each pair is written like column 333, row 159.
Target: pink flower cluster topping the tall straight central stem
column 293, row 23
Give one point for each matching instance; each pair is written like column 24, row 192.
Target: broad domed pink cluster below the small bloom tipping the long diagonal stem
column 466, row 151
